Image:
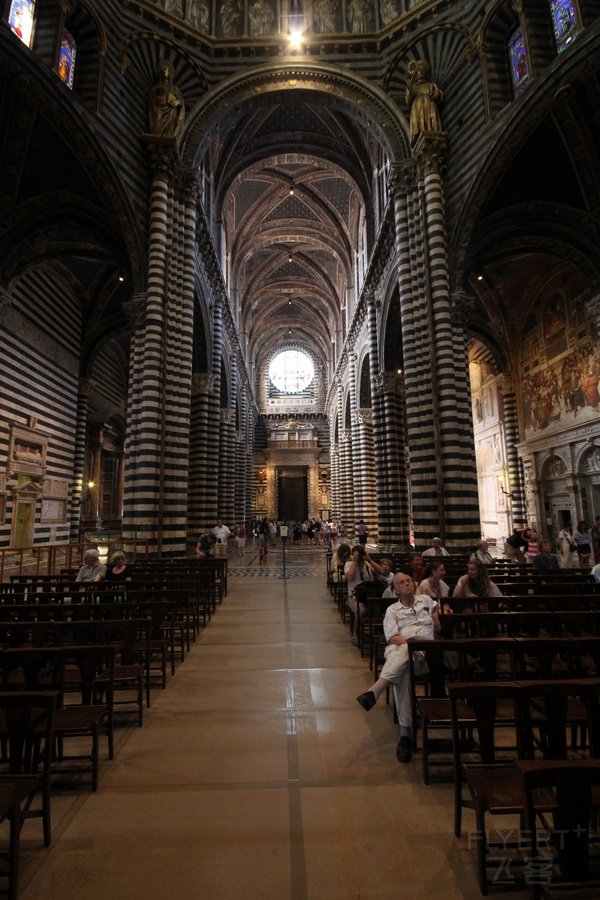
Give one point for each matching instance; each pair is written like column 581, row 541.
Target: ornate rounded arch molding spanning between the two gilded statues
column 371, row 107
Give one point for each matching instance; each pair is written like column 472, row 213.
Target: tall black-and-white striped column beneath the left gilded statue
column 156, row 491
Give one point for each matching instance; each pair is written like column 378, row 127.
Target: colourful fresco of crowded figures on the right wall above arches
column 561, row 372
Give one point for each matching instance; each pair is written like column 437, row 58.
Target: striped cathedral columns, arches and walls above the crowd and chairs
column 298, row 258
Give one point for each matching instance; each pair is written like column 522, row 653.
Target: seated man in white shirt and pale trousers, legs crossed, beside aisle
column 410, row 617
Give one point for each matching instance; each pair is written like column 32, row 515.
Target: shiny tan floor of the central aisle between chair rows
column 256, row 775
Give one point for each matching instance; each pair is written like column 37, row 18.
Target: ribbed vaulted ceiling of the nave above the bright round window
column 293, row 179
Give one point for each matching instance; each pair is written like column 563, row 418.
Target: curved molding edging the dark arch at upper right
column 522, row 116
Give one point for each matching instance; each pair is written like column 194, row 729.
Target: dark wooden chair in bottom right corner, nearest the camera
column 567, row 839
